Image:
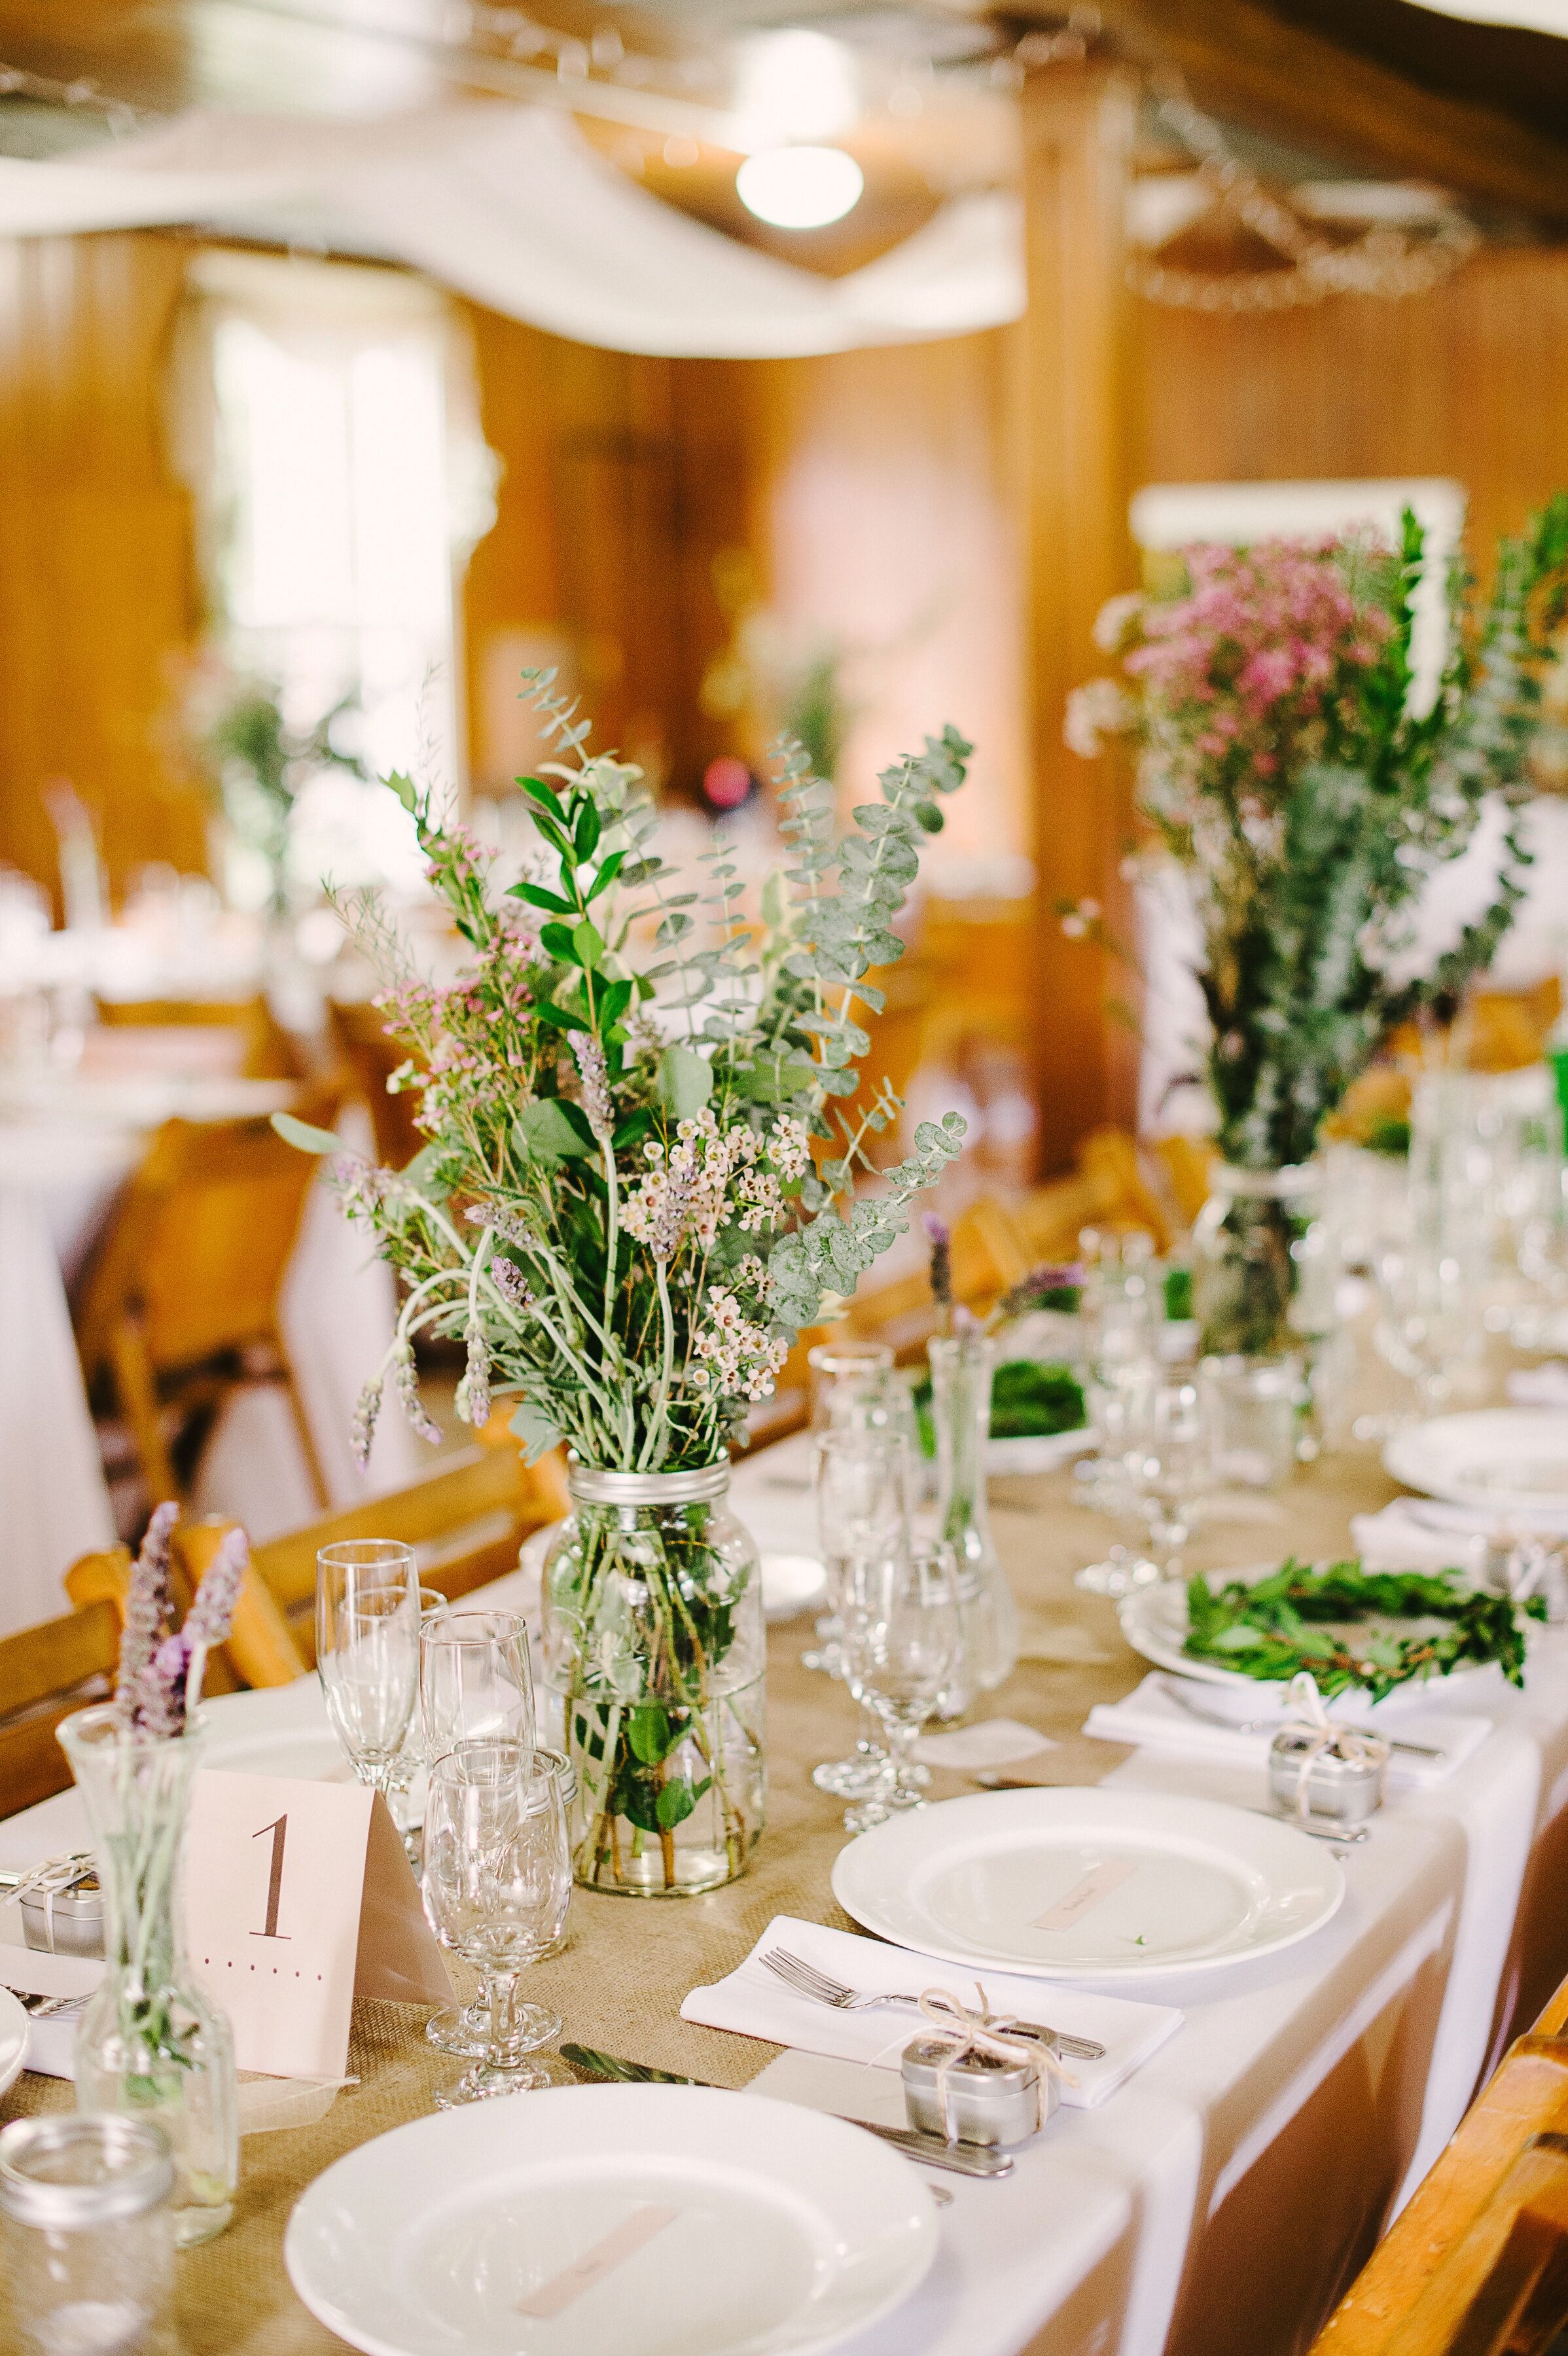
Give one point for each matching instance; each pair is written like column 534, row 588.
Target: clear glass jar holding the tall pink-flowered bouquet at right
column 1261, row 1278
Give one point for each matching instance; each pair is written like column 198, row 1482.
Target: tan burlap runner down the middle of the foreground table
column 630, row 1961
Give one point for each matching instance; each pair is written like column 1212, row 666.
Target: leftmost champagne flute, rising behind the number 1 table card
column 368, row 1650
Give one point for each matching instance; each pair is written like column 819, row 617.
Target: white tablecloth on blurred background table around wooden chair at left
column 58, row 1184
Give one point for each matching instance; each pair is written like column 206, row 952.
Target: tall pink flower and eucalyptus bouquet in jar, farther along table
column 1289, row 762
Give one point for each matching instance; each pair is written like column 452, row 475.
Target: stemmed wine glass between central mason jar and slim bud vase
column 903, row 1643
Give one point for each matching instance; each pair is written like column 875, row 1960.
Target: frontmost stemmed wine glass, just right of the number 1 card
column 498, row 1884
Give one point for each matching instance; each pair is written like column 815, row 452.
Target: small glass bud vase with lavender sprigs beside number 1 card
column 152, row 2041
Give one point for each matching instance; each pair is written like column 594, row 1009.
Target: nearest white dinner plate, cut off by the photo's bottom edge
column 769, row 2230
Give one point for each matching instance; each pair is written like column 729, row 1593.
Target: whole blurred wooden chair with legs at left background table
column 182, row 1297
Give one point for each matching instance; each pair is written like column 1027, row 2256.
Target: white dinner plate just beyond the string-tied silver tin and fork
column 1089, row 1884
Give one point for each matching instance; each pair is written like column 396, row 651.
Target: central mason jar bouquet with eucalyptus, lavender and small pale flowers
column 639, row 1186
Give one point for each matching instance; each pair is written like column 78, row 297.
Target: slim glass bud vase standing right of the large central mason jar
column 962, row 1370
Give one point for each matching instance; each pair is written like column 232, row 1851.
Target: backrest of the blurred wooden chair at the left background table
column 199, row 1245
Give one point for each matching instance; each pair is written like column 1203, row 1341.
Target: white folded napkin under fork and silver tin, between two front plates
column 755, row 2004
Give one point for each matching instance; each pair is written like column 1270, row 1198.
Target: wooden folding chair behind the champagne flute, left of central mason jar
column 467, row 1523
